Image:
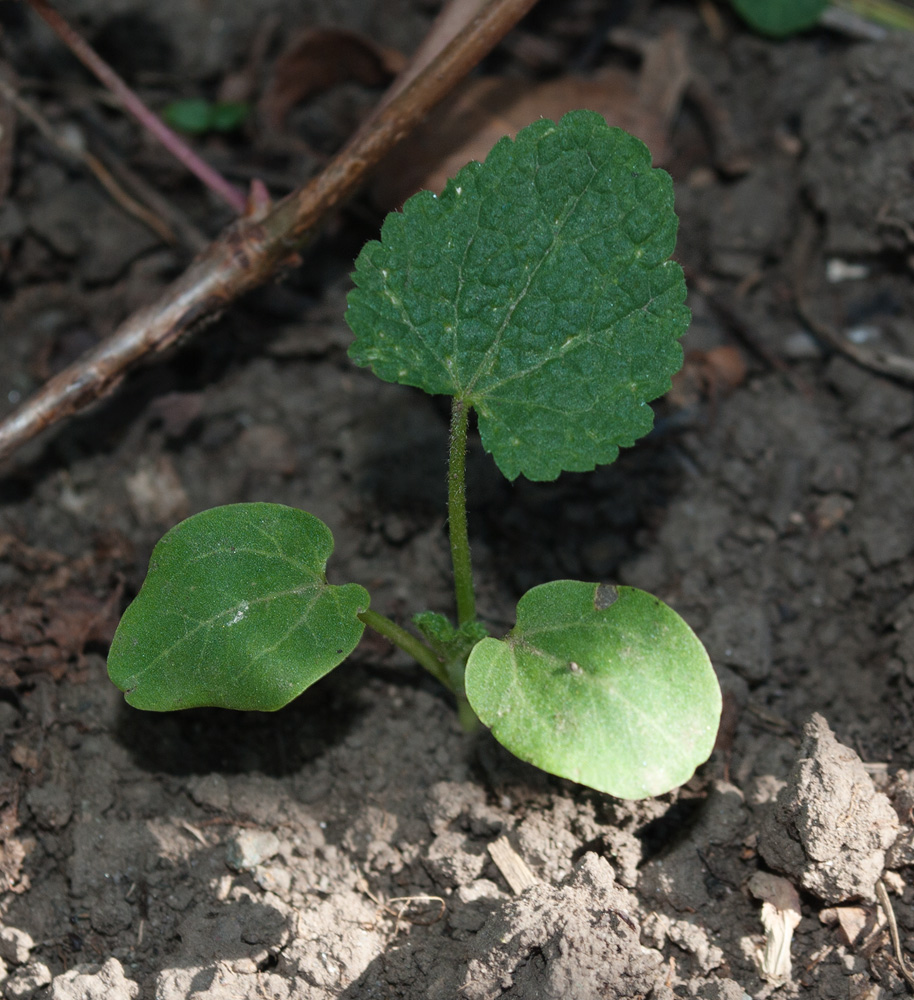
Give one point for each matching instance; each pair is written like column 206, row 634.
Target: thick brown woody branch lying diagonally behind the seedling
column 250, row 251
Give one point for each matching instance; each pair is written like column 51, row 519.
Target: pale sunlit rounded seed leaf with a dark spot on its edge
column 607, row 686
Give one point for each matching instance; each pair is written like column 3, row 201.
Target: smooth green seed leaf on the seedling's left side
column 235, row 612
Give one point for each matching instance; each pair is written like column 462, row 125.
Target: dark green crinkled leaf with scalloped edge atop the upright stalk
column 537, row 289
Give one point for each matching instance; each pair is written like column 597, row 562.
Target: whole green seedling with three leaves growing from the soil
column 537, row 291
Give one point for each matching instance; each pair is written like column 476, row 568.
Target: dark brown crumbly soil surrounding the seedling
column 341, row 848
